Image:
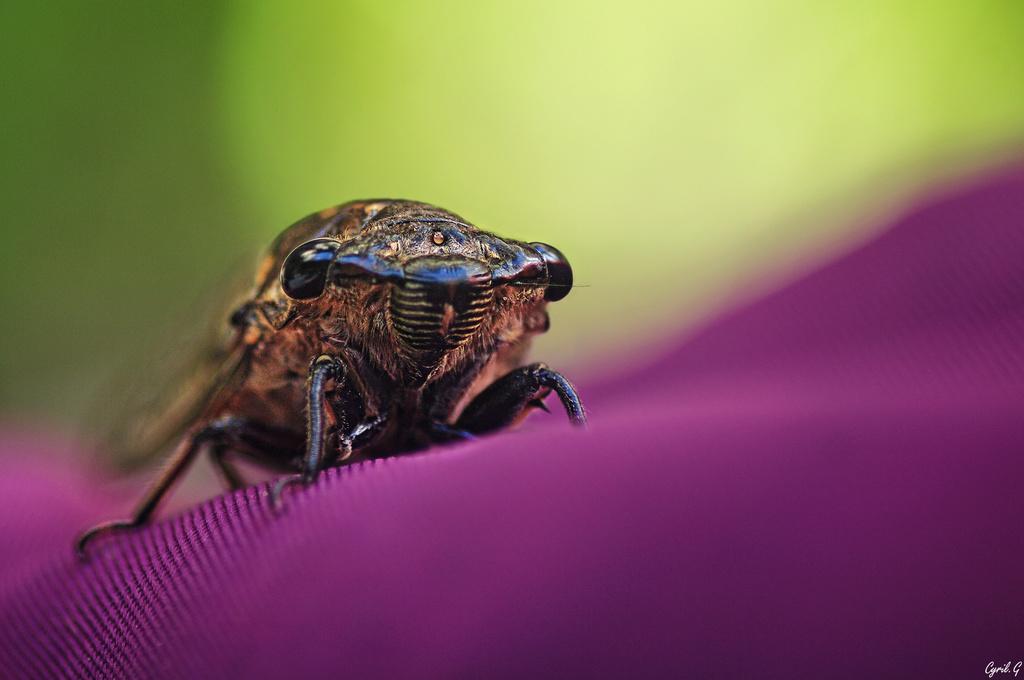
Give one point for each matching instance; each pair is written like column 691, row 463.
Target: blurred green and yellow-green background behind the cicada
column 676, row 152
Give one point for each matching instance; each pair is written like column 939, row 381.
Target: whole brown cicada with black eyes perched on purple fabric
column 376, row 328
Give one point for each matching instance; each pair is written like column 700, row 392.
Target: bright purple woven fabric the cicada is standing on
column 828, row 483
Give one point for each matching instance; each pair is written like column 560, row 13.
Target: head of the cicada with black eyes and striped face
column 418, row 288
